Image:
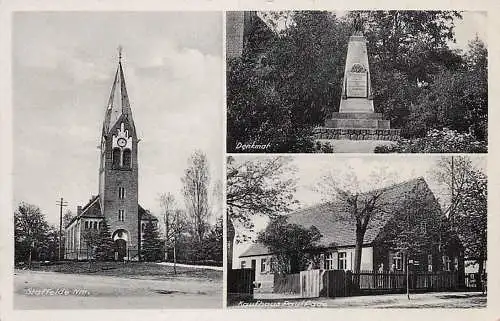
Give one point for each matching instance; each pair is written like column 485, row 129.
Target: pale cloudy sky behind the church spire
column 63, row 69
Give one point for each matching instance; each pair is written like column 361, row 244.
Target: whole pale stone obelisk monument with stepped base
column 356, row 118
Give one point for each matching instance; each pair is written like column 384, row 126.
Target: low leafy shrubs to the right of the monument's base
column 437, row 141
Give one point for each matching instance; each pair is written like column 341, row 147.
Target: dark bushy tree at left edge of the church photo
column 30, row 231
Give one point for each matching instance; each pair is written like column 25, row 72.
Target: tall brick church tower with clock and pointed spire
column 118, row 171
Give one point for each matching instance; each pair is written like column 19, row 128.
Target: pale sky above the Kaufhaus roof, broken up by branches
column 309, row 170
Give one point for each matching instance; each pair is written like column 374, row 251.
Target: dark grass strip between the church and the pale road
column 132, row 270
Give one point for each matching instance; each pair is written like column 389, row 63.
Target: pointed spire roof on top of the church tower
column 118, row 103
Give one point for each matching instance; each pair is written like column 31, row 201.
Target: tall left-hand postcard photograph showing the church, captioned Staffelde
column 117, row 160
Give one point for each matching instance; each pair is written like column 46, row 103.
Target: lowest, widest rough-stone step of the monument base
column 357, row 133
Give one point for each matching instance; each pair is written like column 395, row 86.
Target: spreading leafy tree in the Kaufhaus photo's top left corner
column 258, row 186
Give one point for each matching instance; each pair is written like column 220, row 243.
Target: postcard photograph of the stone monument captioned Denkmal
column 357, row 81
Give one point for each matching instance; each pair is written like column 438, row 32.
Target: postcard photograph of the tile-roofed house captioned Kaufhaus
column 357, row 231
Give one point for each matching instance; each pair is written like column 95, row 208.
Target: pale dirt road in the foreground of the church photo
column 51, row 290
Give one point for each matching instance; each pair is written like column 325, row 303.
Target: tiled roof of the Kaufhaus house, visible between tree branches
column 338, row 228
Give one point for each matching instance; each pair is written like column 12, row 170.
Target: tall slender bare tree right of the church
column 195, row 182
